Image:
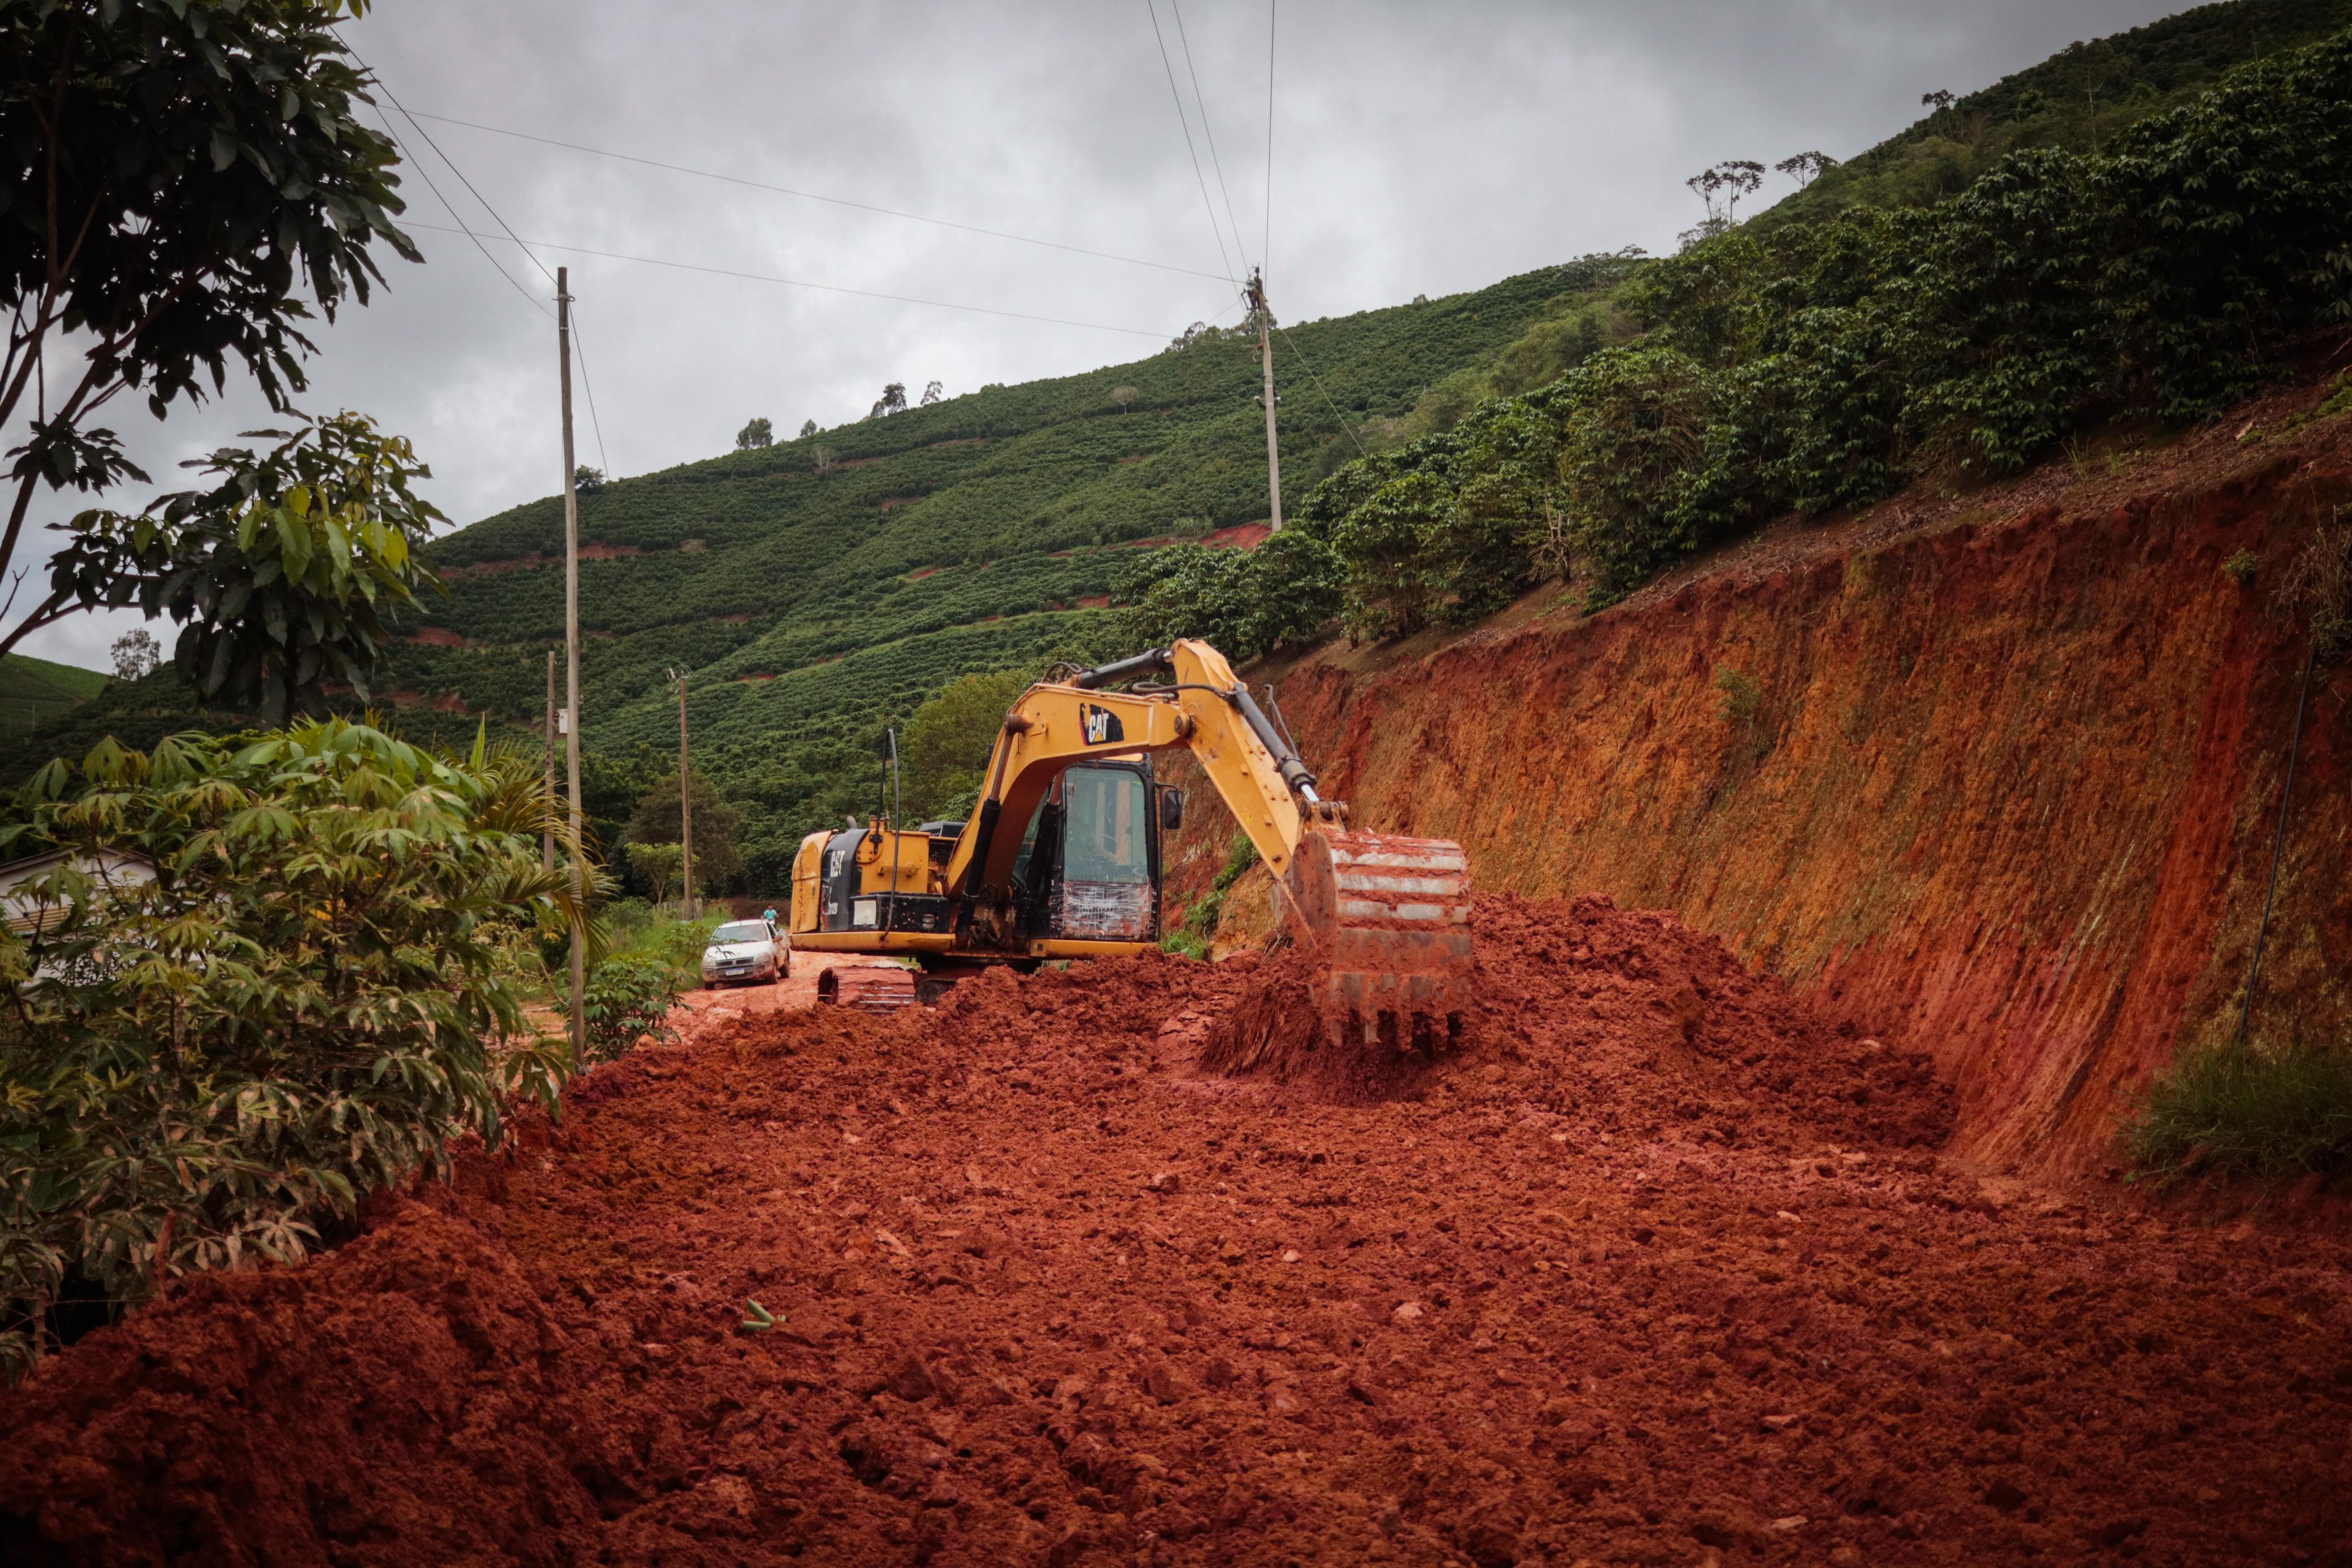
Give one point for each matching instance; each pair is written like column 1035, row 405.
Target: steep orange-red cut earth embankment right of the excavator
column 1991, row 777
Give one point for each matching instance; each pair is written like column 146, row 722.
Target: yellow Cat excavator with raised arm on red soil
column 1062, row 859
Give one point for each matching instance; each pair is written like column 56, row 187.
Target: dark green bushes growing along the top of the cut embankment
column 1810, row 368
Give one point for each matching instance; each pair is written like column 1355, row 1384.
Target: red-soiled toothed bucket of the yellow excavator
column 1391, row 920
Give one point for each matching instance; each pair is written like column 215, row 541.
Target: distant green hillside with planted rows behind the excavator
column 822, row 589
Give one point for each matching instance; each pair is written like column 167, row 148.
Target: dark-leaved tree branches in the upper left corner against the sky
column 187, row 187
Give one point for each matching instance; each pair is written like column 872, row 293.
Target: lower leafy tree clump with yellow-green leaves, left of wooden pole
column 283, row 572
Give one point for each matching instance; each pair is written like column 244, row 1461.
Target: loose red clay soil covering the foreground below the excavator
column 1662, row 1268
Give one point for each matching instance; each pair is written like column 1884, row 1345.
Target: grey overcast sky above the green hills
column 1417, row 149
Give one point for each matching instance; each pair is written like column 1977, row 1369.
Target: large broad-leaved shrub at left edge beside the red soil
column 203, row 1068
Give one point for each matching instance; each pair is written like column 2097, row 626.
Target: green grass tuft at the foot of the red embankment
column 2243, row 1111
